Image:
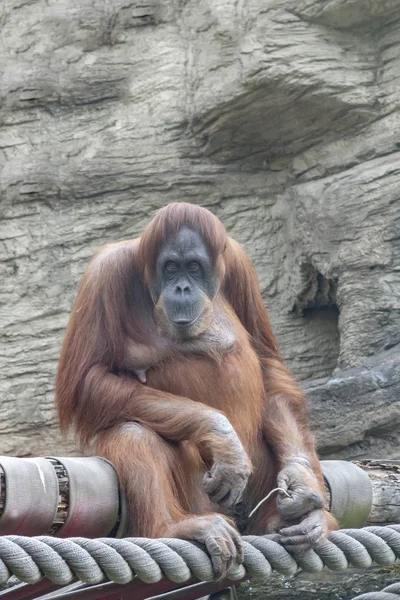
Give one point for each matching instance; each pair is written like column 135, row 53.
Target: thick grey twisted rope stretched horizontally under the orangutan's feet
column 121, row 560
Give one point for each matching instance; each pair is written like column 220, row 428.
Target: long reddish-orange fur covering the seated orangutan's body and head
column 155, row 434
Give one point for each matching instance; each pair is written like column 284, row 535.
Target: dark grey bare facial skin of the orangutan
column 184, row 280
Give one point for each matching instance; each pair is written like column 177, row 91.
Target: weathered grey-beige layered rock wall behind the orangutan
column 280, row 116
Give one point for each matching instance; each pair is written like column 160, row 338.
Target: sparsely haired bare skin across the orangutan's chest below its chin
column 217, row 340
